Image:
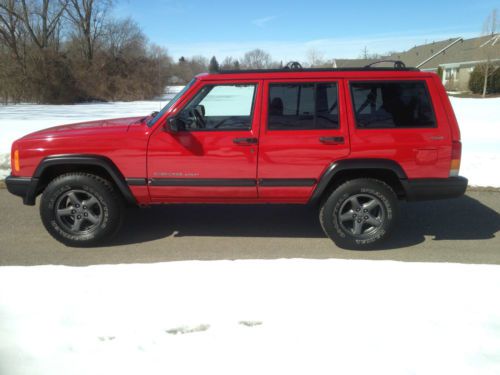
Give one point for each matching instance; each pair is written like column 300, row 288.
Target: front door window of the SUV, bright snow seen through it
column 220, row 107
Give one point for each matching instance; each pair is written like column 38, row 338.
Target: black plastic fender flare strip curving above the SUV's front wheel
column 84, row 160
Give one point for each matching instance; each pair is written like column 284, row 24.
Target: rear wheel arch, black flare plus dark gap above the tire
column 340, row 171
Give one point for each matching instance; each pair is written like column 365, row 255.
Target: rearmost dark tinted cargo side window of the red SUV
column 381, row 105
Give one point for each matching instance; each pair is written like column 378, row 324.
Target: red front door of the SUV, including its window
column 213, row 155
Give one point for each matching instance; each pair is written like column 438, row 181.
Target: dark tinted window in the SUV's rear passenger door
column 303, row 106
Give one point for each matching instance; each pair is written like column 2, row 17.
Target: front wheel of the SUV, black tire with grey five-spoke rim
column 81, row 209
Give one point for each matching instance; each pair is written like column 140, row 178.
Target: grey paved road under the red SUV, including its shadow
column 463, row 230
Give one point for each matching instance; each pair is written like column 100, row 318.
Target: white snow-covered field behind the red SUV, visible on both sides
column 479, row 121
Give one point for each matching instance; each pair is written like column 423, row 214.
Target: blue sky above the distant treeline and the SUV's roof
column 289, row 29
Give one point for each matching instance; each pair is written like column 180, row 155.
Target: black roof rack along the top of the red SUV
column 297, row 67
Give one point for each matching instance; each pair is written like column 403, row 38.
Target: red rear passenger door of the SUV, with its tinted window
column 304, row 130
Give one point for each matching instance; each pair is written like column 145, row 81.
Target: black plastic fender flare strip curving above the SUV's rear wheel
column 353, row 164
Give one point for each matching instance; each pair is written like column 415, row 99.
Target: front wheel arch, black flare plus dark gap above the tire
column 53, row 166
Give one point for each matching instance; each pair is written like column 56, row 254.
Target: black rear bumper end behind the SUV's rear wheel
column 435, row 188
